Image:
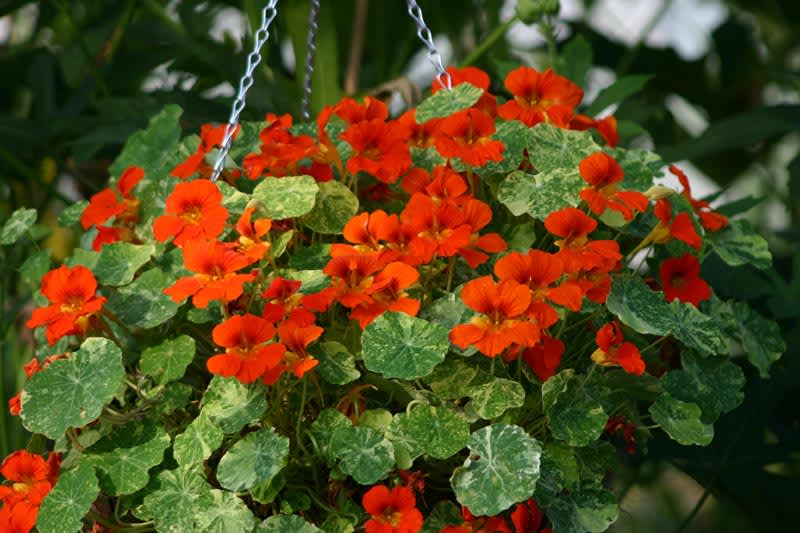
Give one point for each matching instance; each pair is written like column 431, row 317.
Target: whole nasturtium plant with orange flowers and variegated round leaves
column 436, row 322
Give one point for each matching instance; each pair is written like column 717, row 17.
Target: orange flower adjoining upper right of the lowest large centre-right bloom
column 538, row 270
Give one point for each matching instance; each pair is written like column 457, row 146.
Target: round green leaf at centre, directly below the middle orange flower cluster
column 401, row 346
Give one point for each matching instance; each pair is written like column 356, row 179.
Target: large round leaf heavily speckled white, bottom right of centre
column 502, row 469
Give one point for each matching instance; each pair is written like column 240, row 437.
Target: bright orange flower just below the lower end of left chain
column 194, row 211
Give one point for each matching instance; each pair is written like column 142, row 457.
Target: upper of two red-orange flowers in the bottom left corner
column 31, row 477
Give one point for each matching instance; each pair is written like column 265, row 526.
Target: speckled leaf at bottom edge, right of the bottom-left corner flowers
column 65, row 506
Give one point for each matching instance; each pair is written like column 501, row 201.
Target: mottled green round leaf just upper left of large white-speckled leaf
column 441, row 432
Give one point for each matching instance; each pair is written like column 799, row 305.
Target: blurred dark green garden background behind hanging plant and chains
column 77, row 77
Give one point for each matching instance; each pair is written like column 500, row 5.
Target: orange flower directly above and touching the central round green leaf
column 388, row 294
